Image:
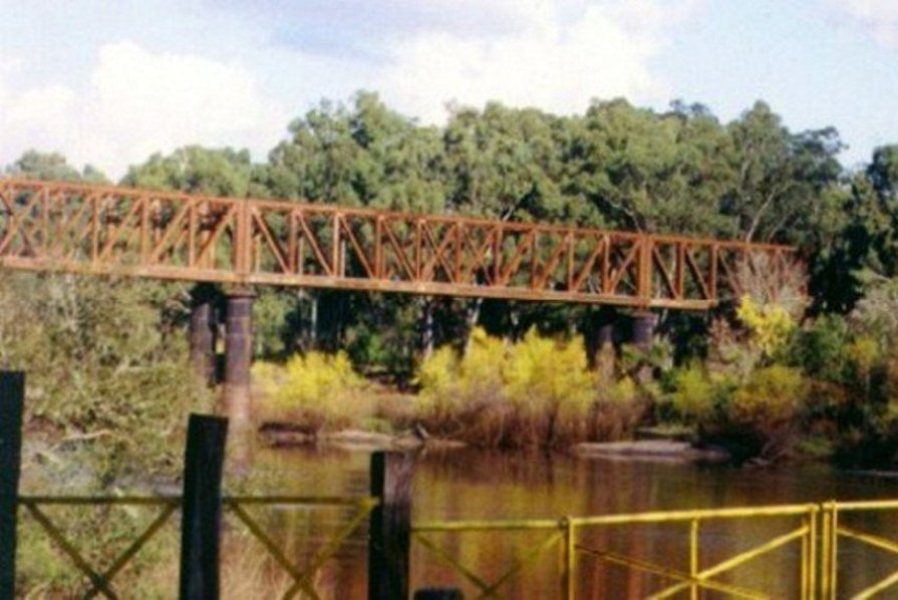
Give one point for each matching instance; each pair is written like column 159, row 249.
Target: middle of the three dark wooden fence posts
column 201, row 511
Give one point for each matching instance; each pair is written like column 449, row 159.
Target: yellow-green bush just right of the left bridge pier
column 316, row 392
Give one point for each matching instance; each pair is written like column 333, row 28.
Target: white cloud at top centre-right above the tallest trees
column 560, row 56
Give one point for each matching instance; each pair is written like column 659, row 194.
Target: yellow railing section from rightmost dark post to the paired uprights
column 563, row 535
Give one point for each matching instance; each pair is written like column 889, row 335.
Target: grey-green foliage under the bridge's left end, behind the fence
column 109, row 384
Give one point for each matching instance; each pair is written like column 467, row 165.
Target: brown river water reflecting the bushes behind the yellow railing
column 470, row 484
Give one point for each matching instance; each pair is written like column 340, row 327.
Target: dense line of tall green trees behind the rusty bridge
column 680, row 171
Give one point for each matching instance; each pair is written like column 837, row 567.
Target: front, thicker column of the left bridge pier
column 238, row 357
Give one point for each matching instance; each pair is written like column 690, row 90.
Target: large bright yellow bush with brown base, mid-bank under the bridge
column 537, row 392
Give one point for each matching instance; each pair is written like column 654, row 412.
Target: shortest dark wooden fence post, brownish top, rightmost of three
column 389, row 537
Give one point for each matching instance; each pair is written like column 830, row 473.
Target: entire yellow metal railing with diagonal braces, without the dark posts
column 815, row 530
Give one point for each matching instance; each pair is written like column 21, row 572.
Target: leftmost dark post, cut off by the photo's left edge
column 12, row 403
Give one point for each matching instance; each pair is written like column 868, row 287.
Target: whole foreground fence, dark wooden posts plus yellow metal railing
column 816, row 534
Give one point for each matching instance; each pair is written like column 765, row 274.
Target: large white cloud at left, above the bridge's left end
column 136, row 103
